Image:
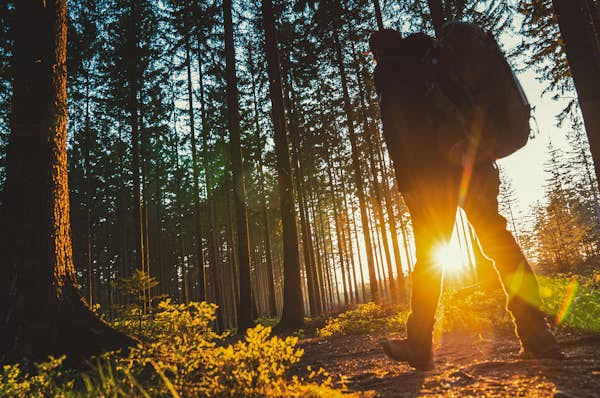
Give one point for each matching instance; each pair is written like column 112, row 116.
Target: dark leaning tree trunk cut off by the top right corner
column 581, row 42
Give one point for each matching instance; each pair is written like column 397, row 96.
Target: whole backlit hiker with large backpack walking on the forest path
column 450, row 107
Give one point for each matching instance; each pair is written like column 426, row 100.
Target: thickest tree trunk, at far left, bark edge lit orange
column 42, row 310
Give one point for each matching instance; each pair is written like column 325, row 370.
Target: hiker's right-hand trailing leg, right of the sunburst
column 518, row 279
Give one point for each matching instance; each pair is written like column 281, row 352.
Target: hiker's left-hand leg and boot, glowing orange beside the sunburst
column 433, row 214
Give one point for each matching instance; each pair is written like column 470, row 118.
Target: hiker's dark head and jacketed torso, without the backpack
column 420, row 120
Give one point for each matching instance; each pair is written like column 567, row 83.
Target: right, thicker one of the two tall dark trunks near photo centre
column 293, row 307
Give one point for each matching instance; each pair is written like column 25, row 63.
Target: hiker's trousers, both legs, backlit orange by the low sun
column 432, row 201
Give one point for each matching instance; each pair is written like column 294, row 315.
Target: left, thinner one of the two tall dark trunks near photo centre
column 237, row 172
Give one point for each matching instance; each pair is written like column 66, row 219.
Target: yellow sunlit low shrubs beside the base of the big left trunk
column 182, row 356
